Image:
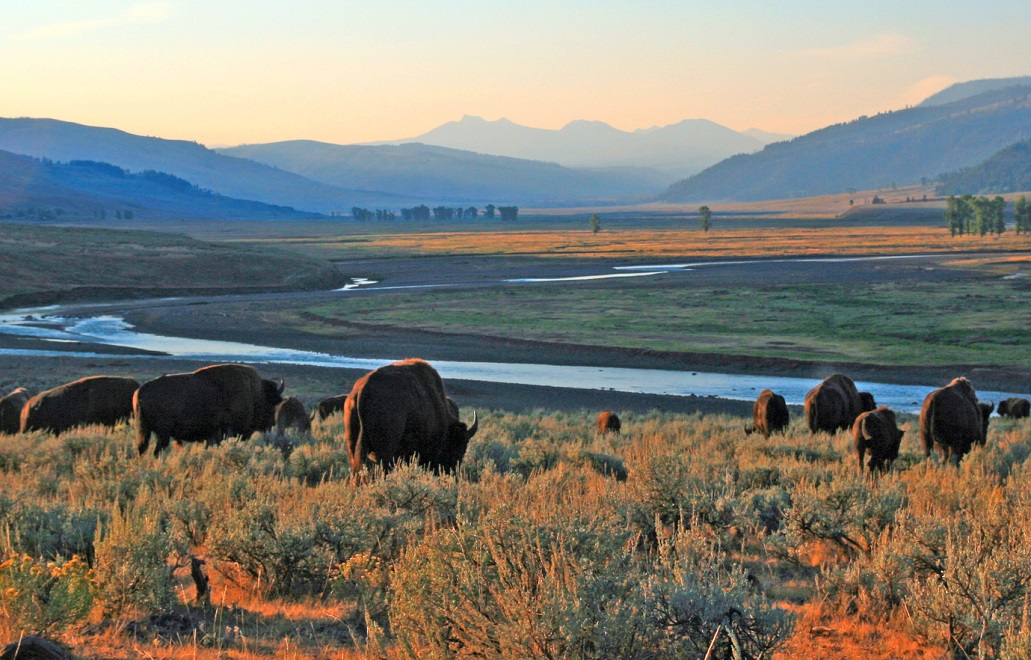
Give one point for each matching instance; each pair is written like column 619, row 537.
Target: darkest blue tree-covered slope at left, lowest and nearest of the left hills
column 31, row 188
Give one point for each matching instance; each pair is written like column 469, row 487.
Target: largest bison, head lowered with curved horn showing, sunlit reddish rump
column 402, row 412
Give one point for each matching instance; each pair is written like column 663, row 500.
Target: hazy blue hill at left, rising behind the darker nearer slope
column 231, row 177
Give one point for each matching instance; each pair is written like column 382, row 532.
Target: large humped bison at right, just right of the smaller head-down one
column 952, row 420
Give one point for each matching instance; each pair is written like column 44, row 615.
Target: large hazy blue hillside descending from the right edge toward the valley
column 896, row 148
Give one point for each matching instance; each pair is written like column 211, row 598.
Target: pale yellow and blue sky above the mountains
column 225, row 73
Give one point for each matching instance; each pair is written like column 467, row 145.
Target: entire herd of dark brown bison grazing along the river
column 402, row 412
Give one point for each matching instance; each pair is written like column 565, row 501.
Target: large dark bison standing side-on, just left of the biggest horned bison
column 207, row 406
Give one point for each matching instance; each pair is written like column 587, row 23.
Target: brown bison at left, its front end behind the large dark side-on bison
column 98, row 400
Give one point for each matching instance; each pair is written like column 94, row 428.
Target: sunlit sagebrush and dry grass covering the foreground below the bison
column 680, row 537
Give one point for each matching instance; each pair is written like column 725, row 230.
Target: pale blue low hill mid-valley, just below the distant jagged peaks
column 453, row 176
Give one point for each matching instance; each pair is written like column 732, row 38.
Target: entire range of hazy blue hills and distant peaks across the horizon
column 585, row 163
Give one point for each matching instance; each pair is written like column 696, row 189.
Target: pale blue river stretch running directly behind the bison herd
column 114, row 332
